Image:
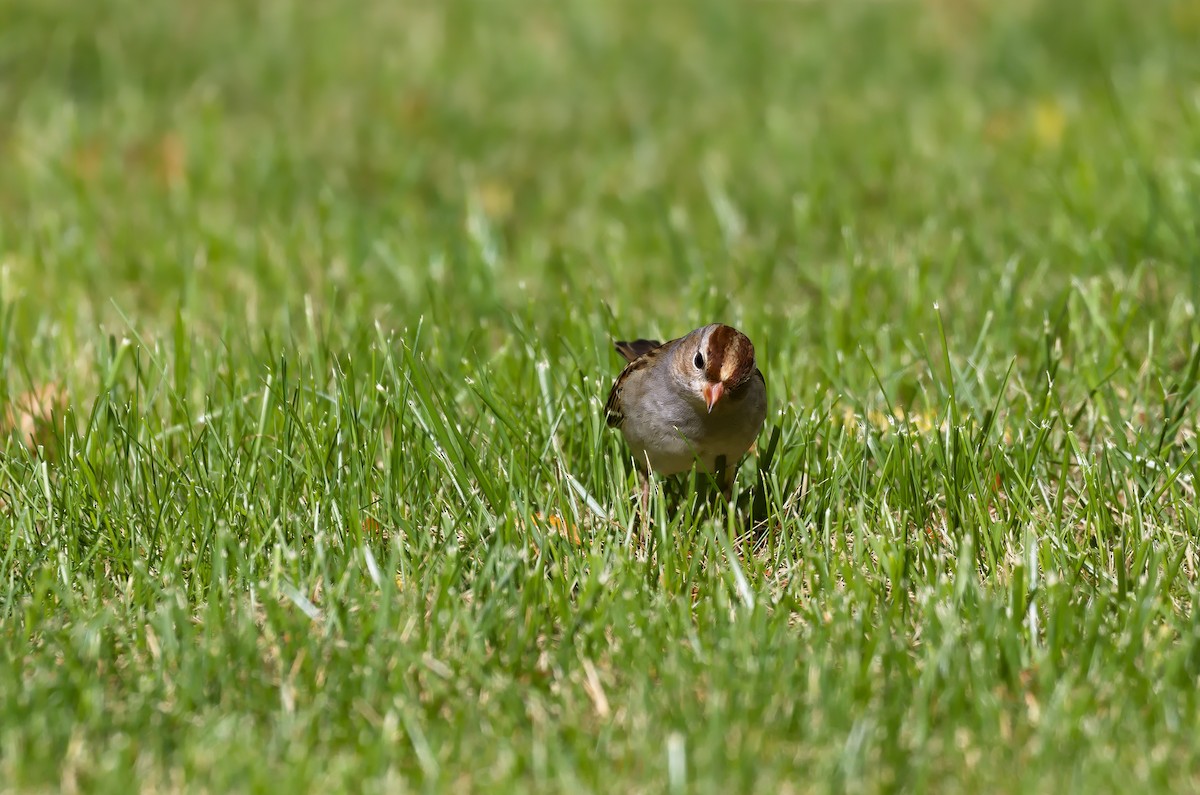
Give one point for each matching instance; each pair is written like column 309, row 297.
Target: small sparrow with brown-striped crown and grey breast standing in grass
column 697, row 401
